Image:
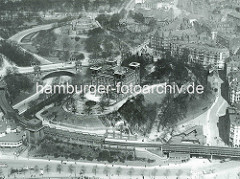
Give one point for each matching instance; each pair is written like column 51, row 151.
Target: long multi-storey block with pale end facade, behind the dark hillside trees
column 204, row 54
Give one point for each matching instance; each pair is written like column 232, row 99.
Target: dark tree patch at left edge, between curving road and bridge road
column 15, row 54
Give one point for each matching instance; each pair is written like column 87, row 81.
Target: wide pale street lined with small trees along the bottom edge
column 195, row 168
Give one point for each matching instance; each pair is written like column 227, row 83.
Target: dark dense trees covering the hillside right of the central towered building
column 173, row 108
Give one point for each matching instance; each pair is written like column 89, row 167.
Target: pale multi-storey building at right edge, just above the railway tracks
column 234, row 135
